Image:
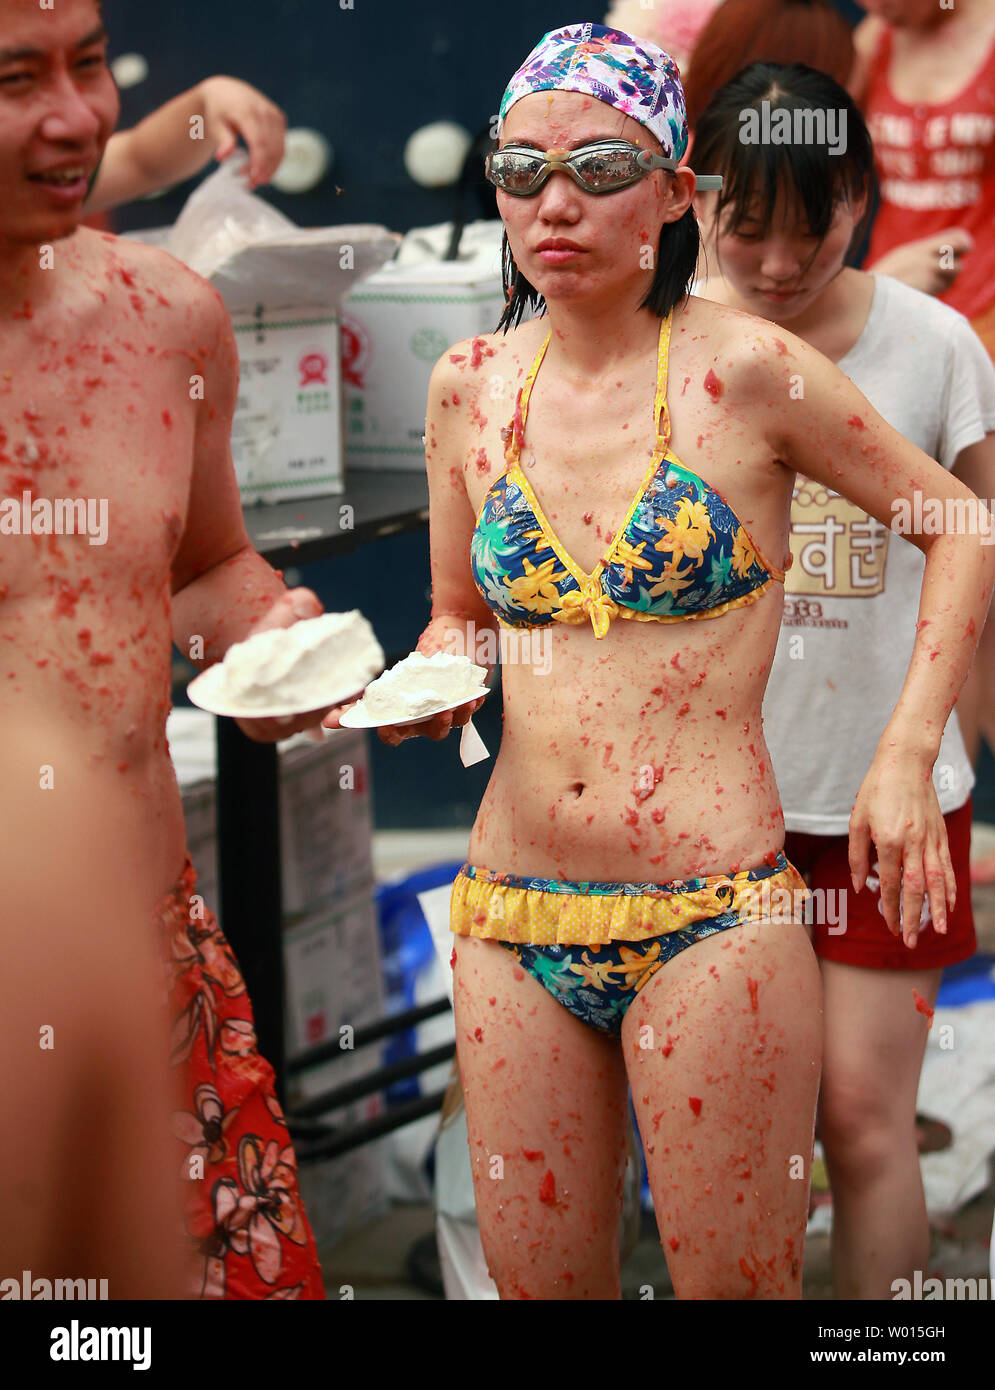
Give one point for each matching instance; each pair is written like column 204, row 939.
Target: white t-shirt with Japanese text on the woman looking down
column 853, row 593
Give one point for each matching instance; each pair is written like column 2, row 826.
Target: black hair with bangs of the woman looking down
column 811, row 170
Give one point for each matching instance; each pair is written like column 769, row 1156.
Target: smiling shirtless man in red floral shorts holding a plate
column 105, row 352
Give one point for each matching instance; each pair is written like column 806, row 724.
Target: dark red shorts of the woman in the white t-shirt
column 861, row 936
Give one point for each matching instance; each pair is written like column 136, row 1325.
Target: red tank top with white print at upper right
column 936, row 165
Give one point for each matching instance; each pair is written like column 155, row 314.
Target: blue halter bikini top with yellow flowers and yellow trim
column 680, row 553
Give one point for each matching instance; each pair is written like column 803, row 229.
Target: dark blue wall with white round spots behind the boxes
column 366, row 79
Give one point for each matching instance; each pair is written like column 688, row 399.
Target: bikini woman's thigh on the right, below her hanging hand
column 723, row 1052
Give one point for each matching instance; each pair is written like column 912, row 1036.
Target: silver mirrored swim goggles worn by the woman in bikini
column 602, row 167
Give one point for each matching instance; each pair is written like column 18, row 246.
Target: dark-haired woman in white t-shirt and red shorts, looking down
column 798, row 179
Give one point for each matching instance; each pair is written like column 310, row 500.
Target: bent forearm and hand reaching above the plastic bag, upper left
column 169, row 147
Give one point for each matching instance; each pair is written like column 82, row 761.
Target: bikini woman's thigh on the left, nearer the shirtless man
column 547, row 1117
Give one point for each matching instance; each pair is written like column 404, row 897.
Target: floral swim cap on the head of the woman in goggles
column 630, row 74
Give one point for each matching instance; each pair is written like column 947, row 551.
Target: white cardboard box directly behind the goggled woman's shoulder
column 395, row 327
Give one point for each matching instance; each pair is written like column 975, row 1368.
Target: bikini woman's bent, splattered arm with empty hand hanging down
column 834, row 436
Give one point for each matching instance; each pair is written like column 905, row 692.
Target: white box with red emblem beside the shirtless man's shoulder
column 287, row 433
